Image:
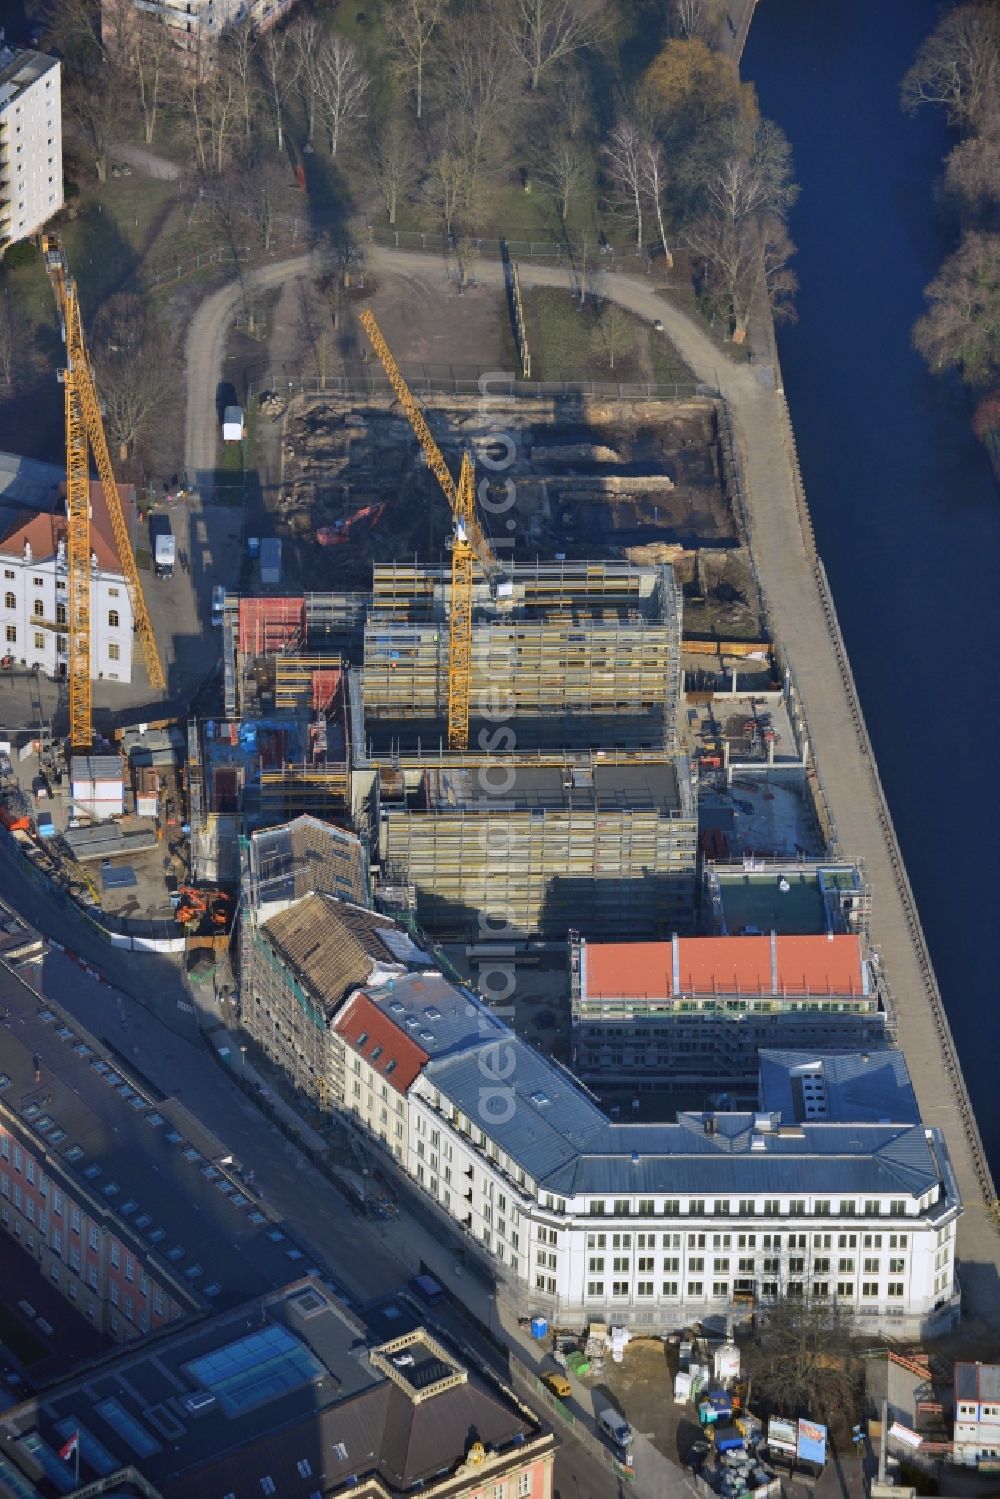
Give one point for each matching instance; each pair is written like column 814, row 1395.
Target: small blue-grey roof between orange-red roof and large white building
column 870, row 1086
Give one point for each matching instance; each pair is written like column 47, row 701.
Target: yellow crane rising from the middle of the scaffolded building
column 469, row 542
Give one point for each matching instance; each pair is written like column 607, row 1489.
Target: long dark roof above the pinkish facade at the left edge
column 142, row 1161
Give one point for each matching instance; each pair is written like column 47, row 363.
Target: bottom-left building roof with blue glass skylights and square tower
column 289, row 1395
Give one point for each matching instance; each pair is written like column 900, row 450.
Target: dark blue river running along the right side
column 906, row 510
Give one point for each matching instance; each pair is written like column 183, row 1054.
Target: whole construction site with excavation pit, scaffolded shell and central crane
column 519, row 722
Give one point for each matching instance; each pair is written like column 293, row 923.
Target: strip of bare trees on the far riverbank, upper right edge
column 957, row 70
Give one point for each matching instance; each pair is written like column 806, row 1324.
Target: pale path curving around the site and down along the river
column 804, row 621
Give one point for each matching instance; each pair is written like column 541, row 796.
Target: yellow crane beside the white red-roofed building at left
column 85, row 434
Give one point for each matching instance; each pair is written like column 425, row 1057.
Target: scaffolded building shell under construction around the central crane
column 570, row 806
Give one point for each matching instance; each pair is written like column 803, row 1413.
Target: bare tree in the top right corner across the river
column 959, row 65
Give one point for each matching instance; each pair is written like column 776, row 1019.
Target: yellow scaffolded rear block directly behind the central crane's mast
column 585, row 654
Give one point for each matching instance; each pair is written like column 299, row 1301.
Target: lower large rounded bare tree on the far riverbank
column 962, row 328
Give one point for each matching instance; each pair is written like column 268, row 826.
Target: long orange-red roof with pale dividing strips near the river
column 723, row 966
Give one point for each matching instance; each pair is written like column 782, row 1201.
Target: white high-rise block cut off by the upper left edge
column 31, row 143
